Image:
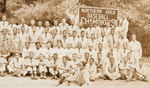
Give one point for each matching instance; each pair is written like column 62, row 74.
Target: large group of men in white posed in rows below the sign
column 69, row 52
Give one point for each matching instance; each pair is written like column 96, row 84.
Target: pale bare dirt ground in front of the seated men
column 25, row 82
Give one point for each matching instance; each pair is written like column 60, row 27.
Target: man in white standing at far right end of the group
column 136, row 49
